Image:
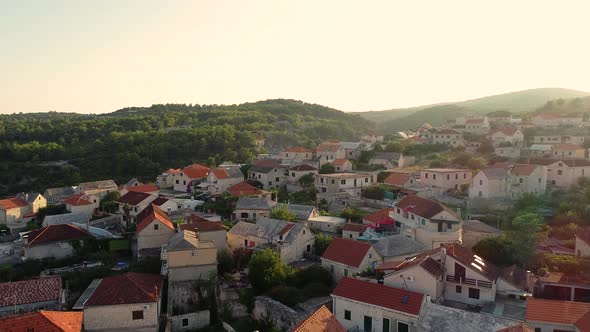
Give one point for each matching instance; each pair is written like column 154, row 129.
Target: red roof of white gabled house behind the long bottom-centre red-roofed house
column 347, row 252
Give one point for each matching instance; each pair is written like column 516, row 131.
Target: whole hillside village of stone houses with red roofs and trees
column 405, row 232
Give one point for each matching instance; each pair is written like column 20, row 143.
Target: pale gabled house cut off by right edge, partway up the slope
column 564, row 173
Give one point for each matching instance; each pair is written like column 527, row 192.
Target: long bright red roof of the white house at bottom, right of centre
column 383, row 296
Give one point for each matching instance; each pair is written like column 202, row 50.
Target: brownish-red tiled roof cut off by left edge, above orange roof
column 30, row 291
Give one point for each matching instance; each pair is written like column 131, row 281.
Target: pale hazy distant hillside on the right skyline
column 516, row 102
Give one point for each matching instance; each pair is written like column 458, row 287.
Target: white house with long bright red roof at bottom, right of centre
column 365, row 306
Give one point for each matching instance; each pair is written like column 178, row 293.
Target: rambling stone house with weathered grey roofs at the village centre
column 290, row 240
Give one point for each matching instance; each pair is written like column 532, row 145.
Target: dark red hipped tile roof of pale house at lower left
column 126, row 288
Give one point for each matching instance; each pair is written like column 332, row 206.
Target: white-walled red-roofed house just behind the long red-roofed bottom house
column 344, row 257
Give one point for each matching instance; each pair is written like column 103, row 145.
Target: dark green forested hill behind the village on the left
column 142, row 141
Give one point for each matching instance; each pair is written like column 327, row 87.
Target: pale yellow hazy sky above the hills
column 98, row 56
